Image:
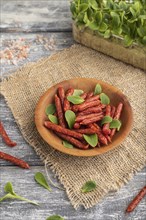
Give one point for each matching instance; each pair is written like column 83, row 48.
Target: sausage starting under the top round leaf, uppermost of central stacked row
column 85, row 105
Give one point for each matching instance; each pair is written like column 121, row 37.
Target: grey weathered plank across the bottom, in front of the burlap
column 112, row 207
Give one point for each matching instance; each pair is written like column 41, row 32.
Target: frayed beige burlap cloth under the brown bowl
column 23, row 89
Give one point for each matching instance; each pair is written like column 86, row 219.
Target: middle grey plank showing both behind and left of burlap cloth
column 37, row 51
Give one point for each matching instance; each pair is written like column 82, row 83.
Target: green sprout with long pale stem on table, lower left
column 12, row 195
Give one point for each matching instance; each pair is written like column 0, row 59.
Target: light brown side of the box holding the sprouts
column 113, row 47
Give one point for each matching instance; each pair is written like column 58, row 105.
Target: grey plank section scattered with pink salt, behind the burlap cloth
column 37, row 50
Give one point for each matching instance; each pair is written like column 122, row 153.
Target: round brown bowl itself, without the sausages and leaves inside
column 87, row 85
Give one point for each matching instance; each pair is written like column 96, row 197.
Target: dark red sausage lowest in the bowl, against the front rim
column 73, row 141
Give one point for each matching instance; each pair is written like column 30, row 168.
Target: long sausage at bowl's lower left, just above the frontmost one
column 62, row 130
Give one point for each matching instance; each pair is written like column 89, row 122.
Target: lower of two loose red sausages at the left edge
column 14, row 160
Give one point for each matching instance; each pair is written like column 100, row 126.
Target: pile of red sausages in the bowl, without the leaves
column 88, row 118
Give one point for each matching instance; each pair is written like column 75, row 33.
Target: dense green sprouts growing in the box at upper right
column 124, row 19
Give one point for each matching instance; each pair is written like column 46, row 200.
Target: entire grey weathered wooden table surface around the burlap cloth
column 27, row 19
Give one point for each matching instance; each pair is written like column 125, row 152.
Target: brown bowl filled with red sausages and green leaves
column 83, row 117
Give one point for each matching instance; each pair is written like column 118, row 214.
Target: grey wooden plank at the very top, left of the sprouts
column 35, row 16
